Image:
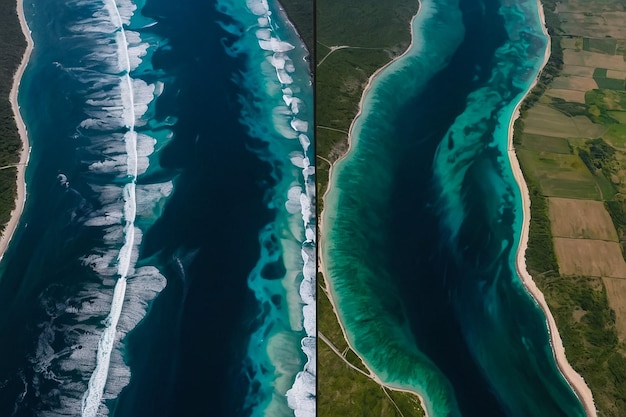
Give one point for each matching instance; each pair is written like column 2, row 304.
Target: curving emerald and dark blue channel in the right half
column 423, row 217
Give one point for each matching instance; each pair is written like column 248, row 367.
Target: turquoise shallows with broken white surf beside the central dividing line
column 282, row 121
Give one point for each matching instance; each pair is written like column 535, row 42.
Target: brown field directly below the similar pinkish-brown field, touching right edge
column 595, row 258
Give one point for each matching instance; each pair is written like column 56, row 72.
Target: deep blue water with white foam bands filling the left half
column 164, row 259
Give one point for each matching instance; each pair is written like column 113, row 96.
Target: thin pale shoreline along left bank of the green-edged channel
column 321, row 266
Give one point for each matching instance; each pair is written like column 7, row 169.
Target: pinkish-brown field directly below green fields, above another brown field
column 586, row 219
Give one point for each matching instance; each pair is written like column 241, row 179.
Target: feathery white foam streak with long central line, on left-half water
column 114, row 144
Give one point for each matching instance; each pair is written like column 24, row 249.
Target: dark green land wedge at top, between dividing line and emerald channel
column 342, row 74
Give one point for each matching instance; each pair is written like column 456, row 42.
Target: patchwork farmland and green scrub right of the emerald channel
column 572, row 148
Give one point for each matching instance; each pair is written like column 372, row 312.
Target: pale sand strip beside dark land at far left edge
column 24, row 155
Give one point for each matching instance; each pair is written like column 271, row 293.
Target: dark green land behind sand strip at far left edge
column 12, row 46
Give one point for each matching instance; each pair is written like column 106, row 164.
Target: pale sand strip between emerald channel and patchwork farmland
column 573, row 378
